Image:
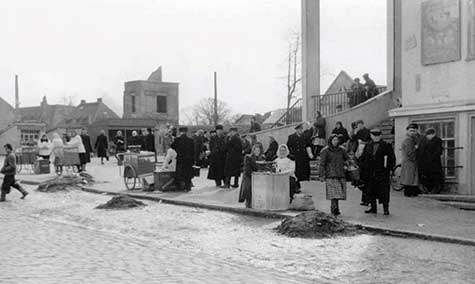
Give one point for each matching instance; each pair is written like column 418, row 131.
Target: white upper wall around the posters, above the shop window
column 454, row 81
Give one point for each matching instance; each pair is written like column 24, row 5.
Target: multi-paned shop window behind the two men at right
column 445, row 129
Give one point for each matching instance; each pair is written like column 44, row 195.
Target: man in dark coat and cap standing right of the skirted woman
column 377, row 161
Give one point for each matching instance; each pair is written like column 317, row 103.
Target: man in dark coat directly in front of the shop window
column 430, row 163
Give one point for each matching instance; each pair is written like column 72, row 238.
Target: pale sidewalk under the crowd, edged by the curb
column 420, row 217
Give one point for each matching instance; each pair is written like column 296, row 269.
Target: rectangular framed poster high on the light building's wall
column 440, row 31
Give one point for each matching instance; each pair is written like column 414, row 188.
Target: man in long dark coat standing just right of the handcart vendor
column 184, row 147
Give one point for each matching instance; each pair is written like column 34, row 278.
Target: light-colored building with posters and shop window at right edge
column 434, row 71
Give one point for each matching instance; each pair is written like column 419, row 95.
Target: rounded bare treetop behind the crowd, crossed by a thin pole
column 203, row 112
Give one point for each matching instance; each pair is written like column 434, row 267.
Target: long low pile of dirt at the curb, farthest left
column 66, row 182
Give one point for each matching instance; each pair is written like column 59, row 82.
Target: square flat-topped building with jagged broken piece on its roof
column 152, row 99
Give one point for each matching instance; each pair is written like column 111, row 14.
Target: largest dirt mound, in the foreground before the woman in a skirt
column 316, row 224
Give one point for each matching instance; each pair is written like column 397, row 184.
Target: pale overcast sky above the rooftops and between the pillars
column 86, row 49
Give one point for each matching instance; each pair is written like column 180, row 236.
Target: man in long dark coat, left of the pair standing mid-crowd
column 217, row 156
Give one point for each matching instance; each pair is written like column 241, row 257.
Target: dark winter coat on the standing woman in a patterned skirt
column 332, row 162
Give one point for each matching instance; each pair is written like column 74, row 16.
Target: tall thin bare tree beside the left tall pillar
column 293, row 79
